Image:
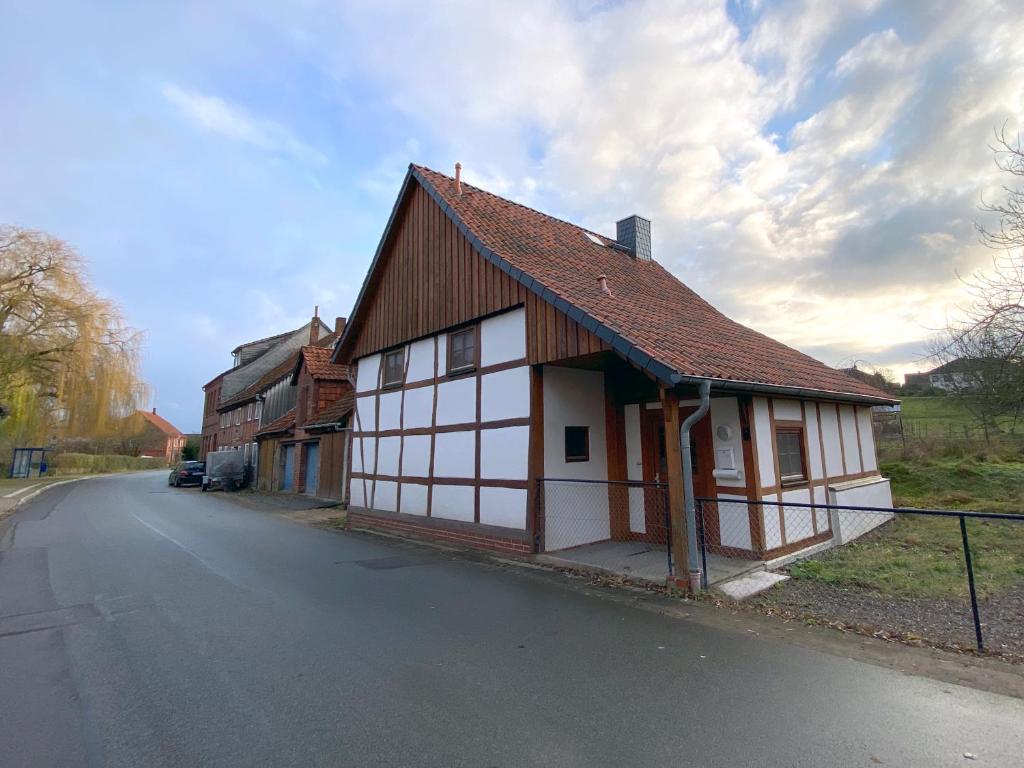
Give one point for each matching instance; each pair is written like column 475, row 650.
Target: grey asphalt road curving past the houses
column 144, row 626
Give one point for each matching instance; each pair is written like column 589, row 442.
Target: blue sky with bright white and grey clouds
column 814, row 169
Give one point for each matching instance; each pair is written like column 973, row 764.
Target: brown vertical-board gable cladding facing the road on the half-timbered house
column 430, row 279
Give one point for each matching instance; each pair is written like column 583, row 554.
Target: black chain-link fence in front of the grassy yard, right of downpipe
column 927, row 561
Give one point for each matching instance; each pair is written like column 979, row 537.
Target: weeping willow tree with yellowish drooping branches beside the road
column 69, row 363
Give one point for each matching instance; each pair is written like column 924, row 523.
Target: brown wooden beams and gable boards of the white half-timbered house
column 430, row 278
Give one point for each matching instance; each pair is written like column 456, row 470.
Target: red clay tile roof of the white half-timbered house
column 652, row 318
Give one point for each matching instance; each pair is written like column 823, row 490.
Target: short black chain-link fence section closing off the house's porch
column 576, row 514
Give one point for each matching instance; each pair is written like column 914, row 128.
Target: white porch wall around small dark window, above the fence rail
column 574, row 398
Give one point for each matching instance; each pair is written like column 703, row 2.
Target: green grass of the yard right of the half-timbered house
column 916, row 557
